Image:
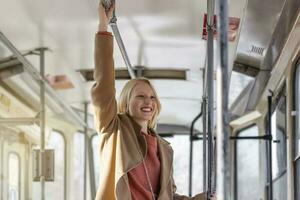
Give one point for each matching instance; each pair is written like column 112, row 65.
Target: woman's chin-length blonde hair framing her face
column 123, row 105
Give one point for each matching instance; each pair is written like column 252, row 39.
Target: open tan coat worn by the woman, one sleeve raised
column 121, row 144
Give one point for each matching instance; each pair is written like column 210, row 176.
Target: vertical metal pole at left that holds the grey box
column 42, row 121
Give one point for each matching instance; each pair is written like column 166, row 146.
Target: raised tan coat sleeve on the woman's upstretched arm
column 103, row 91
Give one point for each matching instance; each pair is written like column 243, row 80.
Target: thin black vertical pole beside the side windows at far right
column 269, row 148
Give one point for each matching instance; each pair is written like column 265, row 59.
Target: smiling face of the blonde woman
column 142, row 103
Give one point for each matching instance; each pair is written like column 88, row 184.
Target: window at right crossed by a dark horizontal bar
column 247, row 152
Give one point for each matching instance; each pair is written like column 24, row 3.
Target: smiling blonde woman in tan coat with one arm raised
column 135, row 162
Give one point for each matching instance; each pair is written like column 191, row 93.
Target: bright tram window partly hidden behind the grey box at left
column 54, row 190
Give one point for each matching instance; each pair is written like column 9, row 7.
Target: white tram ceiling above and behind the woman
column 157, row 36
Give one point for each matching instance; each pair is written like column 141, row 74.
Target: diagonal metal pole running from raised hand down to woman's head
column 114, row 27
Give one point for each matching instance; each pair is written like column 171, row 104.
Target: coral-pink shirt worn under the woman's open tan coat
column 137, row 177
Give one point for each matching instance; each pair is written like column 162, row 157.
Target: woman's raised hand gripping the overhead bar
column 104, row 16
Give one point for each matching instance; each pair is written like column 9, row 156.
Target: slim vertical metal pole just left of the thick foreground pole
column 210, row 90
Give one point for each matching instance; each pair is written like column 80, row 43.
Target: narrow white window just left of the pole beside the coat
column 78, row 166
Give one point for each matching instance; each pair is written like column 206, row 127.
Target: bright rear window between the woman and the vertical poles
column 180, row 145
